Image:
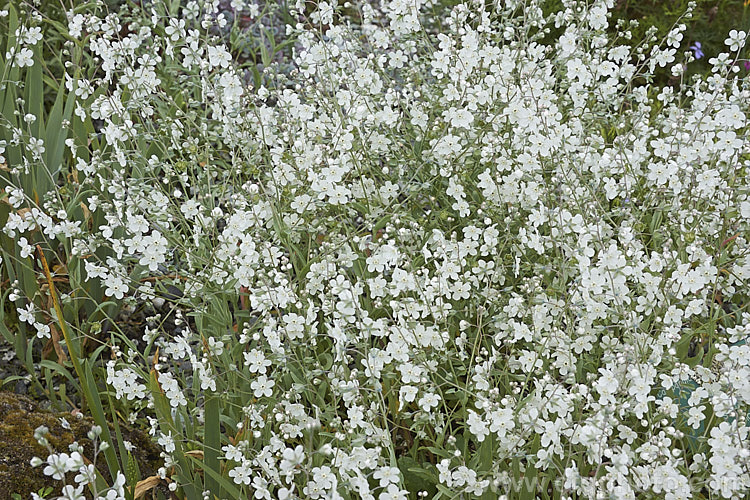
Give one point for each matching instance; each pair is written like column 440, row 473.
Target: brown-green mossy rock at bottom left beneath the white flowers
column 20, row 416
